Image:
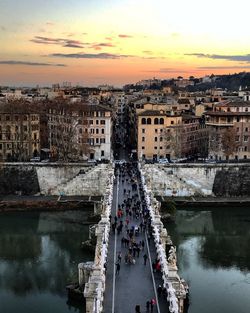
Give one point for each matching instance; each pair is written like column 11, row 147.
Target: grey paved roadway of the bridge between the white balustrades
column 134, row 285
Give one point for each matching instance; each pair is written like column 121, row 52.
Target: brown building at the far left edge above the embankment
column 19, row 132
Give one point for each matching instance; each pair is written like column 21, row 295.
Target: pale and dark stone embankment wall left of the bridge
column 53, row 179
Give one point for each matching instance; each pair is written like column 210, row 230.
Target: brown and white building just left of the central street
column 79, row 131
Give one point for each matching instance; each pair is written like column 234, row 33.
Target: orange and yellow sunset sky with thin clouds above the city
column 94, row 42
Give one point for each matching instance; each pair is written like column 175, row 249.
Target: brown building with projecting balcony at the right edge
column 229, row 130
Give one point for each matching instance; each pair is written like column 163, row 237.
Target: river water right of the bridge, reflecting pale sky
column 213, row 253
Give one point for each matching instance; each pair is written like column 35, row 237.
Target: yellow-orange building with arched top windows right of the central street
column 164, row 135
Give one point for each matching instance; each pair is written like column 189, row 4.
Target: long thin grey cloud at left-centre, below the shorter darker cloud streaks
column 90, row 55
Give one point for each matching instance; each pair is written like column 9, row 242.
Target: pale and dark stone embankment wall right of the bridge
column 198, row 179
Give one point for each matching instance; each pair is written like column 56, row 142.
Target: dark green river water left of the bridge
column 39, row 254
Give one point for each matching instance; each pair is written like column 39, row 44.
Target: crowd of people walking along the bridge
column 132, row 224
